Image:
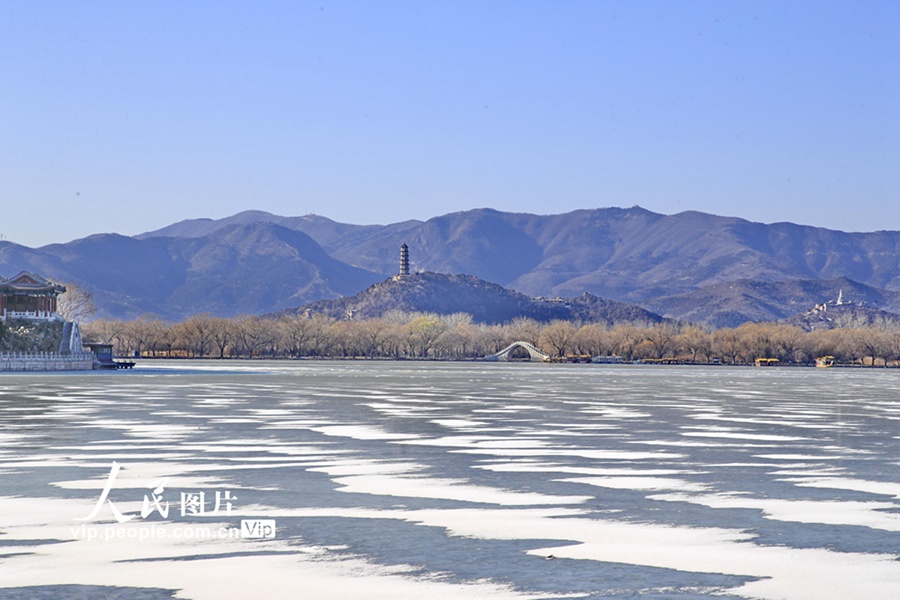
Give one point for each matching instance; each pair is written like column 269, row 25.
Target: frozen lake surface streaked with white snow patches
column 450, row 480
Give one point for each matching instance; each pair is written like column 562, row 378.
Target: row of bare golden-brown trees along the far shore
column 403, row 335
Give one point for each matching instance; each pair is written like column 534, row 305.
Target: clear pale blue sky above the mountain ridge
column 128, row 116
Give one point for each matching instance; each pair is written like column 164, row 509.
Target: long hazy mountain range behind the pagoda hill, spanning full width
column 720, row 270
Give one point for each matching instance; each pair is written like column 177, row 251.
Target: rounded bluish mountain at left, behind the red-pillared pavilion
column 255, row 268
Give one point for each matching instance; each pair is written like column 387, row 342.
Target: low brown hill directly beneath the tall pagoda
column 487, row 302
